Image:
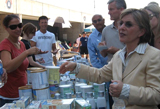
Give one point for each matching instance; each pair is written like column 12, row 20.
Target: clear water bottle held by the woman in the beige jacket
column 118, row 103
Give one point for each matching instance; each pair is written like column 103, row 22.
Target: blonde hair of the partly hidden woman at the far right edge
column 155, row 9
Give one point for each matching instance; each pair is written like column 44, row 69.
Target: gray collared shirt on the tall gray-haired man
column 111, row 36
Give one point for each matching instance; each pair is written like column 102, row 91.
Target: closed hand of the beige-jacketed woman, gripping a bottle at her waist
column 115, row 89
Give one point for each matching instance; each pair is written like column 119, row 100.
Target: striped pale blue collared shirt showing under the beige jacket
column 140, row 49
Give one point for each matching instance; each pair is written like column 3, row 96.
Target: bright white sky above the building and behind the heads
column 95, row 6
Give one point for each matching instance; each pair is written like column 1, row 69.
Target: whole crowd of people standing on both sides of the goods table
column 131, row 59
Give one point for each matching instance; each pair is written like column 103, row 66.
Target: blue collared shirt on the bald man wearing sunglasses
column 97, row 60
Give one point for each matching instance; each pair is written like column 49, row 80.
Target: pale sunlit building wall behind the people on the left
column 30, row 10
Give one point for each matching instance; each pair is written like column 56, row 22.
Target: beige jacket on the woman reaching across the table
column 142, row 74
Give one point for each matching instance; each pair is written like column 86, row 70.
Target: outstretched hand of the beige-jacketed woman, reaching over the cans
column 67, row 66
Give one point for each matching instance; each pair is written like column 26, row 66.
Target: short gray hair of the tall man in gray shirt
column 119, row 3
